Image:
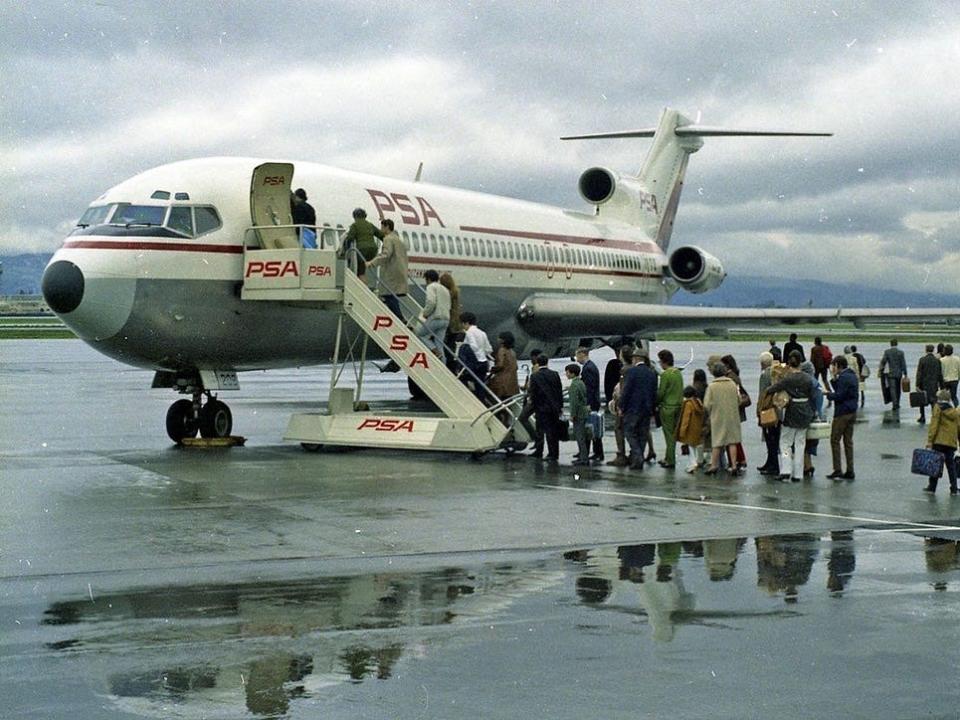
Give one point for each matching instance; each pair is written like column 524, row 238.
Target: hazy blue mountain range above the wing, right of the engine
column 775, row 292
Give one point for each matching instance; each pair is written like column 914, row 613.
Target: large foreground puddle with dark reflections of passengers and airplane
column 270, row 647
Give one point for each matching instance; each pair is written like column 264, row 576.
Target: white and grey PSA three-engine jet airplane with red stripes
column 151, row 274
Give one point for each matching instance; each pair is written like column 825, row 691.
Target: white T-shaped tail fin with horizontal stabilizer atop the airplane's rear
column 674, row 139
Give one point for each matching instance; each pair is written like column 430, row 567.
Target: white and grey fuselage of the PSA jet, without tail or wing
column 156, row 299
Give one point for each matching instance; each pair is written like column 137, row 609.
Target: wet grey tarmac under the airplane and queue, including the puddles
column 142, row 580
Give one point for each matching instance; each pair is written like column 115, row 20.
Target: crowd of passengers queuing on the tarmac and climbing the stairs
column 704, row 418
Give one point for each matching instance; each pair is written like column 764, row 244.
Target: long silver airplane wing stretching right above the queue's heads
column 588, row 315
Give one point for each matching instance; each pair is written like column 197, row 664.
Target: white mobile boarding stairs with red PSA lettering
column 322, row 280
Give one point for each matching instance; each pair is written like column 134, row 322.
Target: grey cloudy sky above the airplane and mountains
column 93, row 92
